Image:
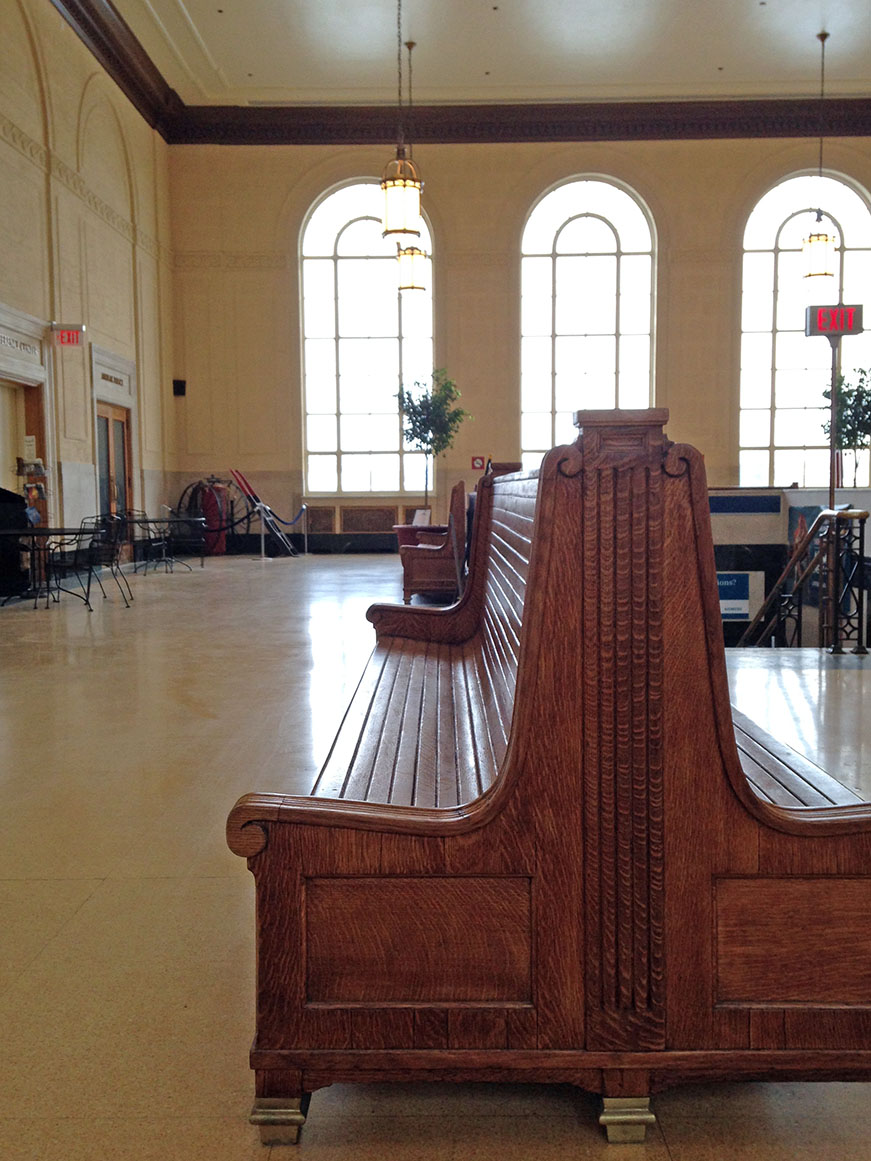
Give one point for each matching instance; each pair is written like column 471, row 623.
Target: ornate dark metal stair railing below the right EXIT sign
column 832, row 551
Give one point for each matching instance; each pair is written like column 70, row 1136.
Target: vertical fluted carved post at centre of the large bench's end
column 623, row 759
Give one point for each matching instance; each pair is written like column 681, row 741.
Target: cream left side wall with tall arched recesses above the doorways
column 84, row 237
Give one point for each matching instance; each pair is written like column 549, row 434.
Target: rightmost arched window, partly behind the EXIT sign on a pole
column 783, row 372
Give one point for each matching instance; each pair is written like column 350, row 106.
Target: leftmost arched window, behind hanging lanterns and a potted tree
column 363, row 340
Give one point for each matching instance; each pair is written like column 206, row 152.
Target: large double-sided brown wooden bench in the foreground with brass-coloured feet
column 534, row 853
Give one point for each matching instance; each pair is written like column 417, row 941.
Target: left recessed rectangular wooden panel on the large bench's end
column 435, row 940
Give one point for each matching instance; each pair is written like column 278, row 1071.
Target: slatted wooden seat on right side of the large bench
column 782, row 776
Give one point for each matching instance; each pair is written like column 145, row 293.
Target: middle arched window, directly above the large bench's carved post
column 587, row 309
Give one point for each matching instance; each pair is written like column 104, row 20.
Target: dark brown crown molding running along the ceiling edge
column 110, row 39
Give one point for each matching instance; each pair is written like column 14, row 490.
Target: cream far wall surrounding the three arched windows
column 237, row 214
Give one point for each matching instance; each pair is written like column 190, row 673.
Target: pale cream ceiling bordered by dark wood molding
column 343, row 53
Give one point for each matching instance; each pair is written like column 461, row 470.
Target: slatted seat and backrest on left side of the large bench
column 430, row 723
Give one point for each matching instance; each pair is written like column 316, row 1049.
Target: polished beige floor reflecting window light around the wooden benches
column 126, row 925
